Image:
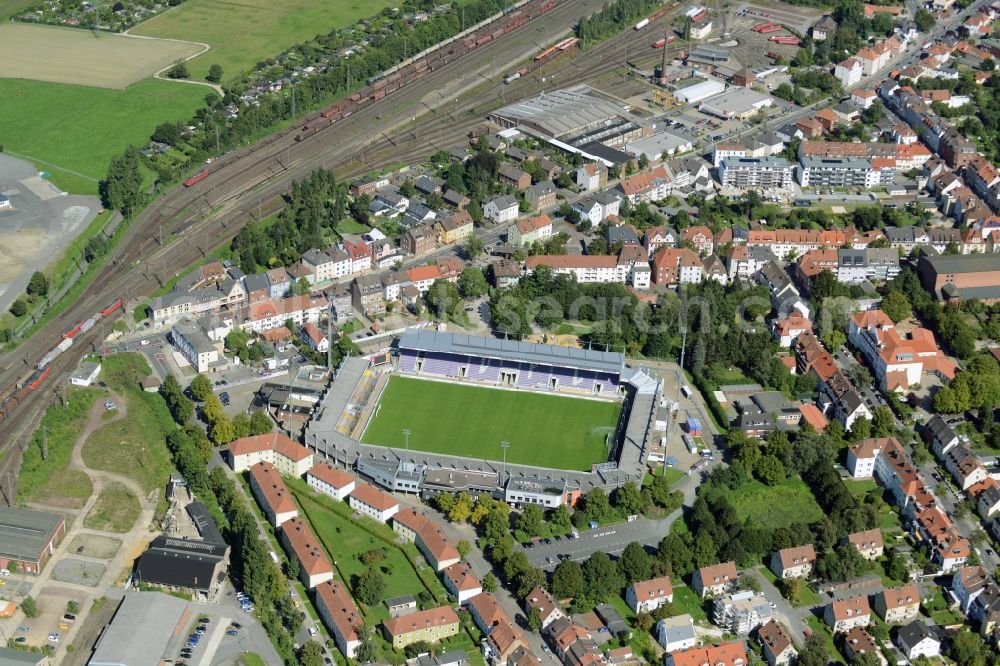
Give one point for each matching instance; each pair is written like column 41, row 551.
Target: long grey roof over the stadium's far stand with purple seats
column 512, row 350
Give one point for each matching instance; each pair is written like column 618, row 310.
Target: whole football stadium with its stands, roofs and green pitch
column 498, row 412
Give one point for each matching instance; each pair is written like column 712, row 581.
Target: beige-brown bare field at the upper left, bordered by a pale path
column 83, row 57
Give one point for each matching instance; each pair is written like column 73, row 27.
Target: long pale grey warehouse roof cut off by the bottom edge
column 141, row 629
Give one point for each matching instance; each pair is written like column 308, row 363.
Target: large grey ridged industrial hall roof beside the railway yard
column 562, row 112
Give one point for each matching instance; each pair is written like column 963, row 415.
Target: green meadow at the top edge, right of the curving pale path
column 243, row 34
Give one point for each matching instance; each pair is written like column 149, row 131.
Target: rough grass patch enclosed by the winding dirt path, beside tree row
column 134, row 446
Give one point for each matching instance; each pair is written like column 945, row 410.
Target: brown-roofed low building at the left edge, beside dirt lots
column 28, row 538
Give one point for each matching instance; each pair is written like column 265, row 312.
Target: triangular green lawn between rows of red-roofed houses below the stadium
column 345, row 539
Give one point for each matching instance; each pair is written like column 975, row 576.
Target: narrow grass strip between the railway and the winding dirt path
column 62, row 426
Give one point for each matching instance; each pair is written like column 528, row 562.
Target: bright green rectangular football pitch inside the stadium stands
column 544, row 430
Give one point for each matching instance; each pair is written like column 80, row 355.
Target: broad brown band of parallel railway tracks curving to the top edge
column 250, row 182
